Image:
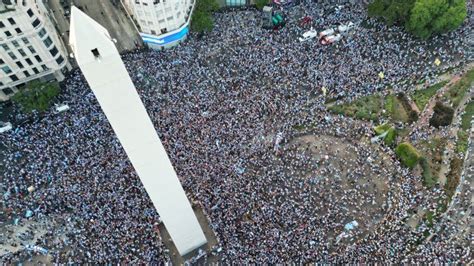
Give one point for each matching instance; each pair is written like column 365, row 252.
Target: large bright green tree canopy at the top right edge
column 423, row 18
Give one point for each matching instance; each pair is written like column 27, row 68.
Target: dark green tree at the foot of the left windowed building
column 36, row 96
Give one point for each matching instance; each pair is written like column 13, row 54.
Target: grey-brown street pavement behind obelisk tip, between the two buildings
column 109, row 13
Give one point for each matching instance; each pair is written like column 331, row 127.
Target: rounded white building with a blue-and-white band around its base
column 161, row 23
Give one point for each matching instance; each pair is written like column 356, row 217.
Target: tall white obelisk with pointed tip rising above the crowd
column 105, row 72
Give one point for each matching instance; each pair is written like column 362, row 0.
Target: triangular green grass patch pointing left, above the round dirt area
column 365, row 108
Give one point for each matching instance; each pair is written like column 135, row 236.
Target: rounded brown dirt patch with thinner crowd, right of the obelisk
column 352, row 178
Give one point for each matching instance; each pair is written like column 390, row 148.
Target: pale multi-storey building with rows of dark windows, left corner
column 30, row 46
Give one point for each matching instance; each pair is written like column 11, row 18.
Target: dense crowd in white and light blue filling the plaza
column 217, row 102
